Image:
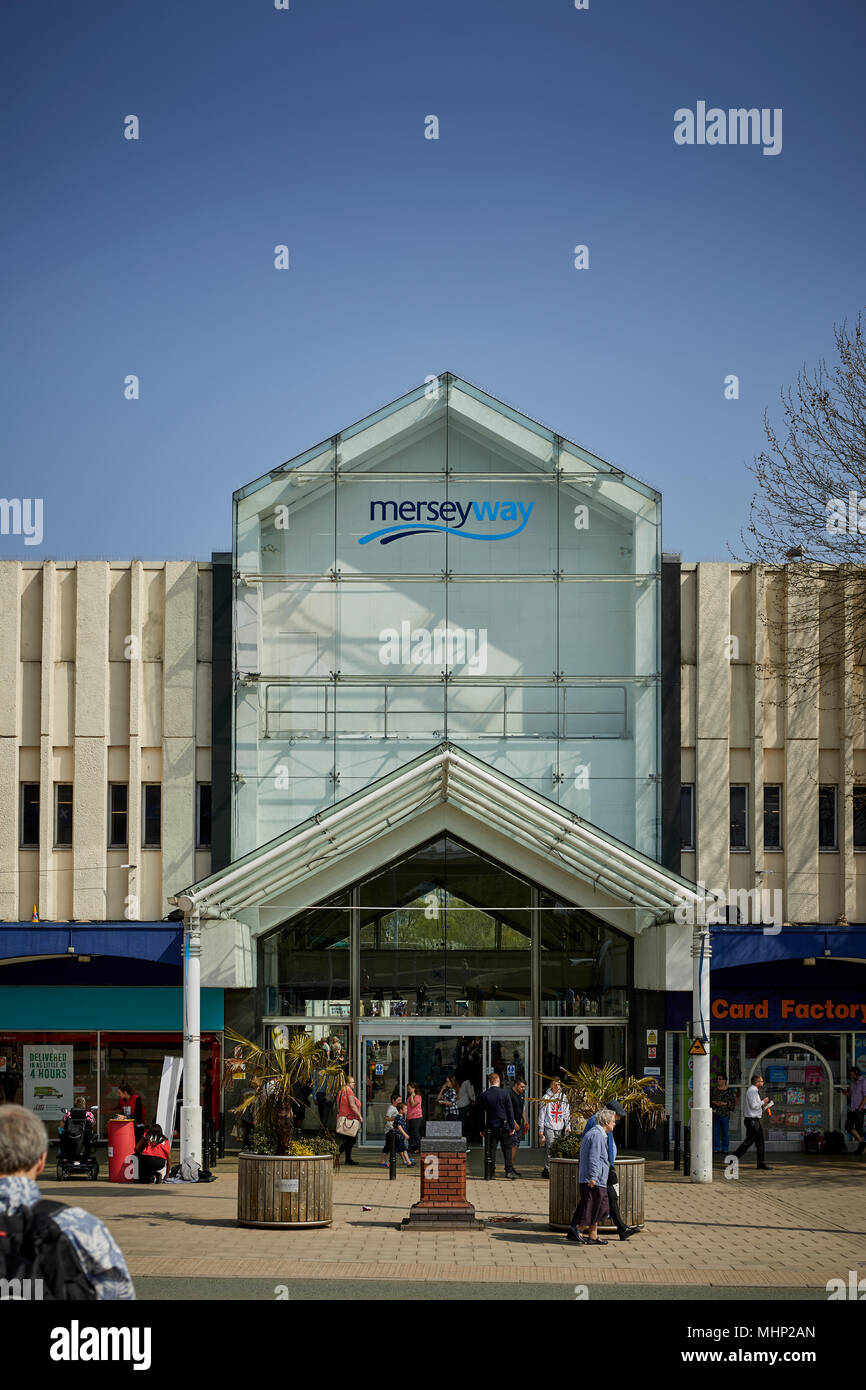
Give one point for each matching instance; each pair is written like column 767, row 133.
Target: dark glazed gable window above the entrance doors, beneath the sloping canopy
column 446, row 933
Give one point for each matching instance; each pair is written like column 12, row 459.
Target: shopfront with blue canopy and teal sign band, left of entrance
column 85, row 1007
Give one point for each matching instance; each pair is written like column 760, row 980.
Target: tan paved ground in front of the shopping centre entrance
column 767, row 1234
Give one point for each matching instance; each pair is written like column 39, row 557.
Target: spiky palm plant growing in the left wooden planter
column 276, row 1074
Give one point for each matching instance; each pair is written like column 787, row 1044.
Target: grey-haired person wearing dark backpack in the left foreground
column 72, row 1252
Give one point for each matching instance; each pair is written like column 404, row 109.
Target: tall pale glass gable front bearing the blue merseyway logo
column 447, row 569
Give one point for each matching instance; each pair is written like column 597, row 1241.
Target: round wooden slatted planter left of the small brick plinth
column 286, row 1192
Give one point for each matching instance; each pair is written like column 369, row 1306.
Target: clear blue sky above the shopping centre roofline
column 409, row 256
